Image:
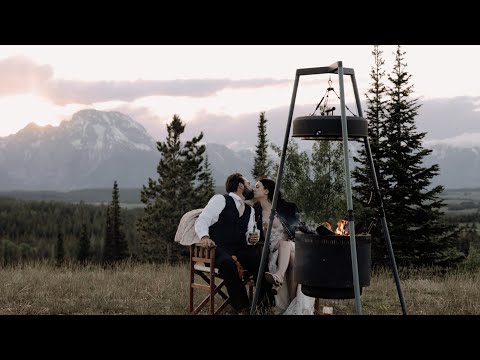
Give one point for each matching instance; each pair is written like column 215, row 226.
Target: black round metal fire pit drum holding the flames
column 323, row 264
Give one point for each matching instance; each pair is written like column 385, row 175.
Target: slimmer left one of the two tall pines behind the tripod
column 366, row 209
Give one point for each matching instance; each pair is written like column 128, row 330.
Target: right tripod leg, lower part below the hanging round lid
column 386, row 234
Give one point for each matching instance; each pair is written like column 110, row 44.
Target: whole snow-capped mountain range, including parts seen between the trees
column 95, row 148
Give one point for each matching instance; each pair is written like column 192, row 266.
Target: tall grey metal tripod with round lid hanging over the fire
column 333, row 128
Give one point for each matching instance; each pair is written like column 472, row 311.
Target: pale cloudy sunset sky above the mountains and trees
column 217, row 87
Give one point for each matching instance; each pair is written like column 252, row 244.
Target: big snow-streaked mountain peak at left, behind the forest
column 93, row 149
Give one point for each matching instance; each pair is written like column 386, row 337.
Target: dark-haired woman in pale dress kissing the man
column 288, row 296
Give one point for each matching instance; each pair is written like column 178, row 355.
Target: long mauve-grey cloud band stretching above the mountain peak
column 20, row 75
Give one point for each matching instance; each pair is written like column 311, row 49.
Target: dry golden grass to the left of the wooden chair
column 128, row 289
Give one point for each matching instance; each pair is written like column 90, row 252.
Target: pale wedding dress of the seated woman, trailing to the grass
column 290, row 300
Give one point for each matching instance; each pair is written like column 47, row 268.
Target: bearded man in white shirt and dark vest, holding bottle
column 228, row 223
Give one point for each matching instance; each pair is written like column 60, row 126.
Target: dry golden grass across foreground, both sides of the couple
column 145, row 289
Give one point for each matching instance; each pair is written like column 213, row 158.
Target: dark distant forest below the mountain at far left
column 33, row 230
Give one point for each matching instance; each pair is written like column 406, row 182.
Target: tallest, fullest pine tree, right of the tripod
column 412, row 206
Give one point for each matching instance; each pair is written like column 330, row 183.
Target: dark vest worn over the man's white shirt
column 229, row 231
